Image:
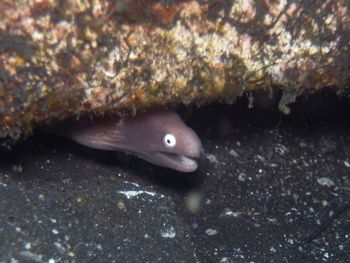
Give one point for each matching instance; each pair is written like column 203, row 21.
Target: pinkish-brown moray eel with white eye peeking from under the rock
column 158, row 136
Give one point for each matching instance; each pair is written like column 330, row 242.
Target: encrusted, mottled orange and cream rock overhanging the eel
column 59, row 58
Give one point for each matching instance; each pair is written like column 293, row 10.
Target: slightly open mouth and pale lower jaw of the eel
column 179, row 162
